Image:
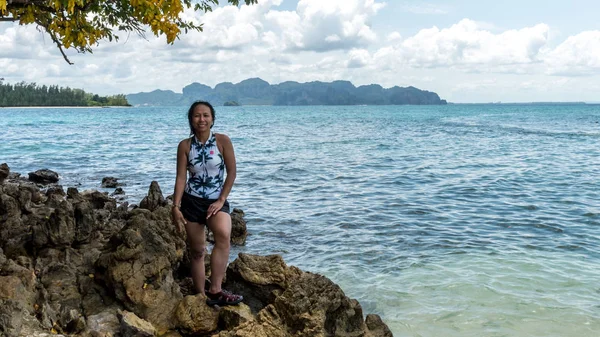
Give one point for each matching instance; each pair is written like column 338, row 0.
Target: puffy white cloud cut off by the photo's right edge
column 579, row 55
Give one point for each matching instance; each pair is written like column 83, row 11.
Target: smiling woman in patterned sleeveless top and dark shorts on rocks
column 203, row 199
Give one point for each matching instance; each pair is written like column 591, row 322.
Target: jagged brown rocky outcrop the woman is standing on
column 80, row 264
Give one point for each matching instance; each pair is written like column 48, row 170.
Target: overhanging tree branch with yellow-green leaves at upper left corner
column 81, row 24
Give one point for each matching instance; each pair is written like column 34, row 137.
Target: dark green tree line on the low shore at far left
column 31, row 94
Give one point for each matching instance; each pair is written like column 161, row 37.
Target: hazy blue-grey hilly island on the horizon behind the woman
column 255, row 91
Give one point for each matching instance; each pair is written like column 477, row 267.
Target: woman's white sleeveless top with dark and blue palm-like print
column 206, row 169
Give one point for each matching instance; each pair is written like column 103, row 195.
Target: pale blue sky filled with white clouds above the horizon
column 466, row 51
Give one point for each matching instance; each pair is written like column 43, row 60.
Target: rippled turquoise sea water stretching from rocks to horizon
column 458, row 220
